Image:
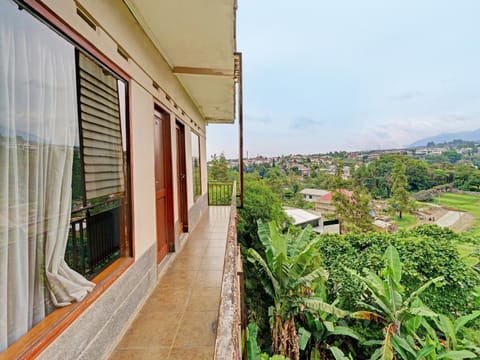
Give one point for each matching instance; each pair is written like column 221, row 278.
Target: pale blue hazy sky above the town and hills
column 353, row 75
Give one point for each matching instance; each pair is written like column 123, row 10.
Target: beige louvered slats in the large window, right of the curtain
column 101, row 130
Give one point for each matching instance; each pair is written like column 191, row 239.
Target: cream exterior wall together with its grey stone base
column 90, row 335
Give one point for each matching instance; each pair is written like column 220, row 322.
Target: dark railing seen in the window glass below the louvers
column 94, row 238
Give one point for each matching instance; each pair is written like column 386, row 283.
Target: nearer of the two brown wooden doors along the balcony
column 162, row 188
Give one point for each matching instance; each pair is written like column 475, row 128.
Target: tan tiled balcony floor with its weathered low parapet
column 193, row 313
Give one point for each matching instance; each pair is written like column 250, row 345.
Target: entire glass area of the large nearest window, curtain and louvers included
column 63, row 160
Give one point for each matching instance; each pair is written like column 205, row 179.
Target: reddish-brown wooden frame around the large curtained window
column 46, row 331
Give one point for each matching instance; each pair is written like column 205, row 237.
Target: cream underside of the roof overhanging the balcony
column 197, row 39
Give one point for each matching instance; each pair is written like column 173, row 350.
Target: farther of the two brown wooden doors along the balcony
column 181, row 179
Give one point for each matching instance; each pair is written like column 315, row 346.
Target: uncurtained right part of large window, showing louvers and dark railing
column 95, row 233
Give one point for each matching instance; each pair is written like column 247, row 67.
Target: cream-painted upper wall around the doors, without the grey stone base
column 117, row 26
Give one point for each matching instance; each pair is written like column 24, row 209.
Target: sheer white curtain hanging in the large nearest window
column 38, row 116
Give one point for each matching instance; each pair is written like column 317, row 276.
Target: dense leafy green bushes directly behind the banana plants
column 426, row 251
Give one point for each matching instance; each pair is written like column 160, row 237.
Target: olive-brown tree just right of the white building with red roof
column 353, row 212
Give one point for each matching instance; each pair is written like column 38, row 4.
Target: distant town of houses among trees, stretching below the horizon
column 311, row 186
